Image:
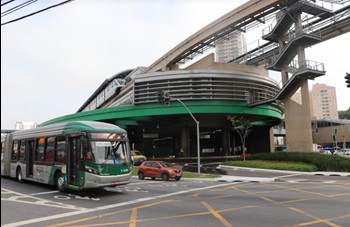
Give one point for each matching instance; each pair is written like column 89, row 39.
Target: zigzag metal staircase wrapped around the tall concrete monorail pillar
column 292, row 42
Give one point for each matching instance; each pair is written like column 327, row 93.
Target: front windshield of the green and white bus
column 109, row 152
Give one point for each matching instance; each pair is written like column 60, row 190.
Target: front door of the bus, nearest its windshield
column 74, row 154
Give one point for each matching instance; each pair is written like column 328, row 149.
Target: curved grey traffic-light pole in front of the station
column 164, row 98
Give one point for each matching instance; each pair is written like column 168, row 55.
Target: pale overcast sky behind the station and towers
column 53, row 61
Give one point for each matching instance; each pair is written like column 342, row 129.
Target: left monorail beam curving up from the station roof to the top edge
column 241, row 18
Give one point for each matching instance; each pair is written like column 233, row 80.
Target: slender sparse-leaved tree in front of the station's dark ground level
column 243, row 127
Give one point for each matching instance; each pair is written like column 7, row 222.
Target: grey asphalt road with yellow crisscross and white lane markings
column 271, row 199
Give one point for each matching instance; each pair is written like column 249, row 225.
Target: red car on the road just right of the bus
column 159, row 169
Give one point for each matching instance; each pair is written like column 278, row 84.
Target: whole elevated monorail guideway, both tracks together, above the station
column 248, row 16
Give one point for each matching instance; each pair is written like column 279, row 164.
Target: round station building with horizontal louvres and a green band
column 210, row 92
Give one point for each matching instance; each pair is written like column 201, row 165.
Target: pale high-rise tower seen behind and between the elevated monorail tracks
column 233, row 46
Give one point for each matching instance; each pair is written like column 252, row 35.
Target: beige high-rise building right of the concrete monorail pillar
column 324, row 102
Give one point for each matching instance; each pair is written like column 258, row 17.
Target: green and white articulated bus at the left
column 73, row 155
